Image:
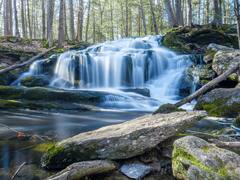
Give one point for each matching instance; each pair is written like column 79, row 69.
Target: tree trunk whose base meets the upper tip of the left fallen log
column 61, row 33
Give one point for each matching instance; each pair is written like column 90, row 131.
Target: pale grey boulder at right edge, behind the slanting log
column 222, row 60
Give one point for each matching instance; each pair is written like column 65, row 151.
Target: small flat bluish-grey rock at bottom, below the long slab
column 136, row 170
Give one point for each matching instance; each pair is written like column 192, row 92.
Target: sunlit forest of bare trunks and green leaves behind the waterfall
column 100, row 20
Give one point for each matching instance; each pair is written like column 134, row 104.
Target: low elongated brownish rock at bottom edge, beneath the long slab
column 83, row 169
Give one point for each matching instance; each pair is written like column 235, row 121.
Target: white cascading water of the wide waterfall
column 126, row 63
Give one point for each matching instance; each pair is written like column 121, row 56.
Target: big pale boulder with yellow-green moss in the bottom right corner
column 195, row 158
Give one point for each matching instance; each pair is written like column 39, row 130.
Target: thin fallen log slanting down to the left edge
column 25, row 63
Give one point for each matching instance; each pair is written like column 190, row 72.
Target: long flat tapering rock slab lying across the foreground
column 121, row 141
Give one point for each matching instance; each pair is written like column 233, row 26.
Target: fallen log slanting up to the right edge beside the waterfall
column 233, row 68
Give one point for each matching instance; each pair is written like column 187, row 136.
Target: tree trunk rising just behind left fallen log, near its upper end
column 50, row 13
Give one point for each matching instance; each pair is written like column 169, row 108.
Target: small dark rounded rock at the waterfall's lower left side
column 34, row 81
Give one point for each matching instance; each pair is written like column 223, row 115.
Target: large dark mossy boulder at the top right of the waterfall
column 186, row 39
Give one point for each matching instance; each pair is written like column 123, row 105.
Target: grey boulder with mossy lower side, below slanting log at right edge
column 220, row 102
